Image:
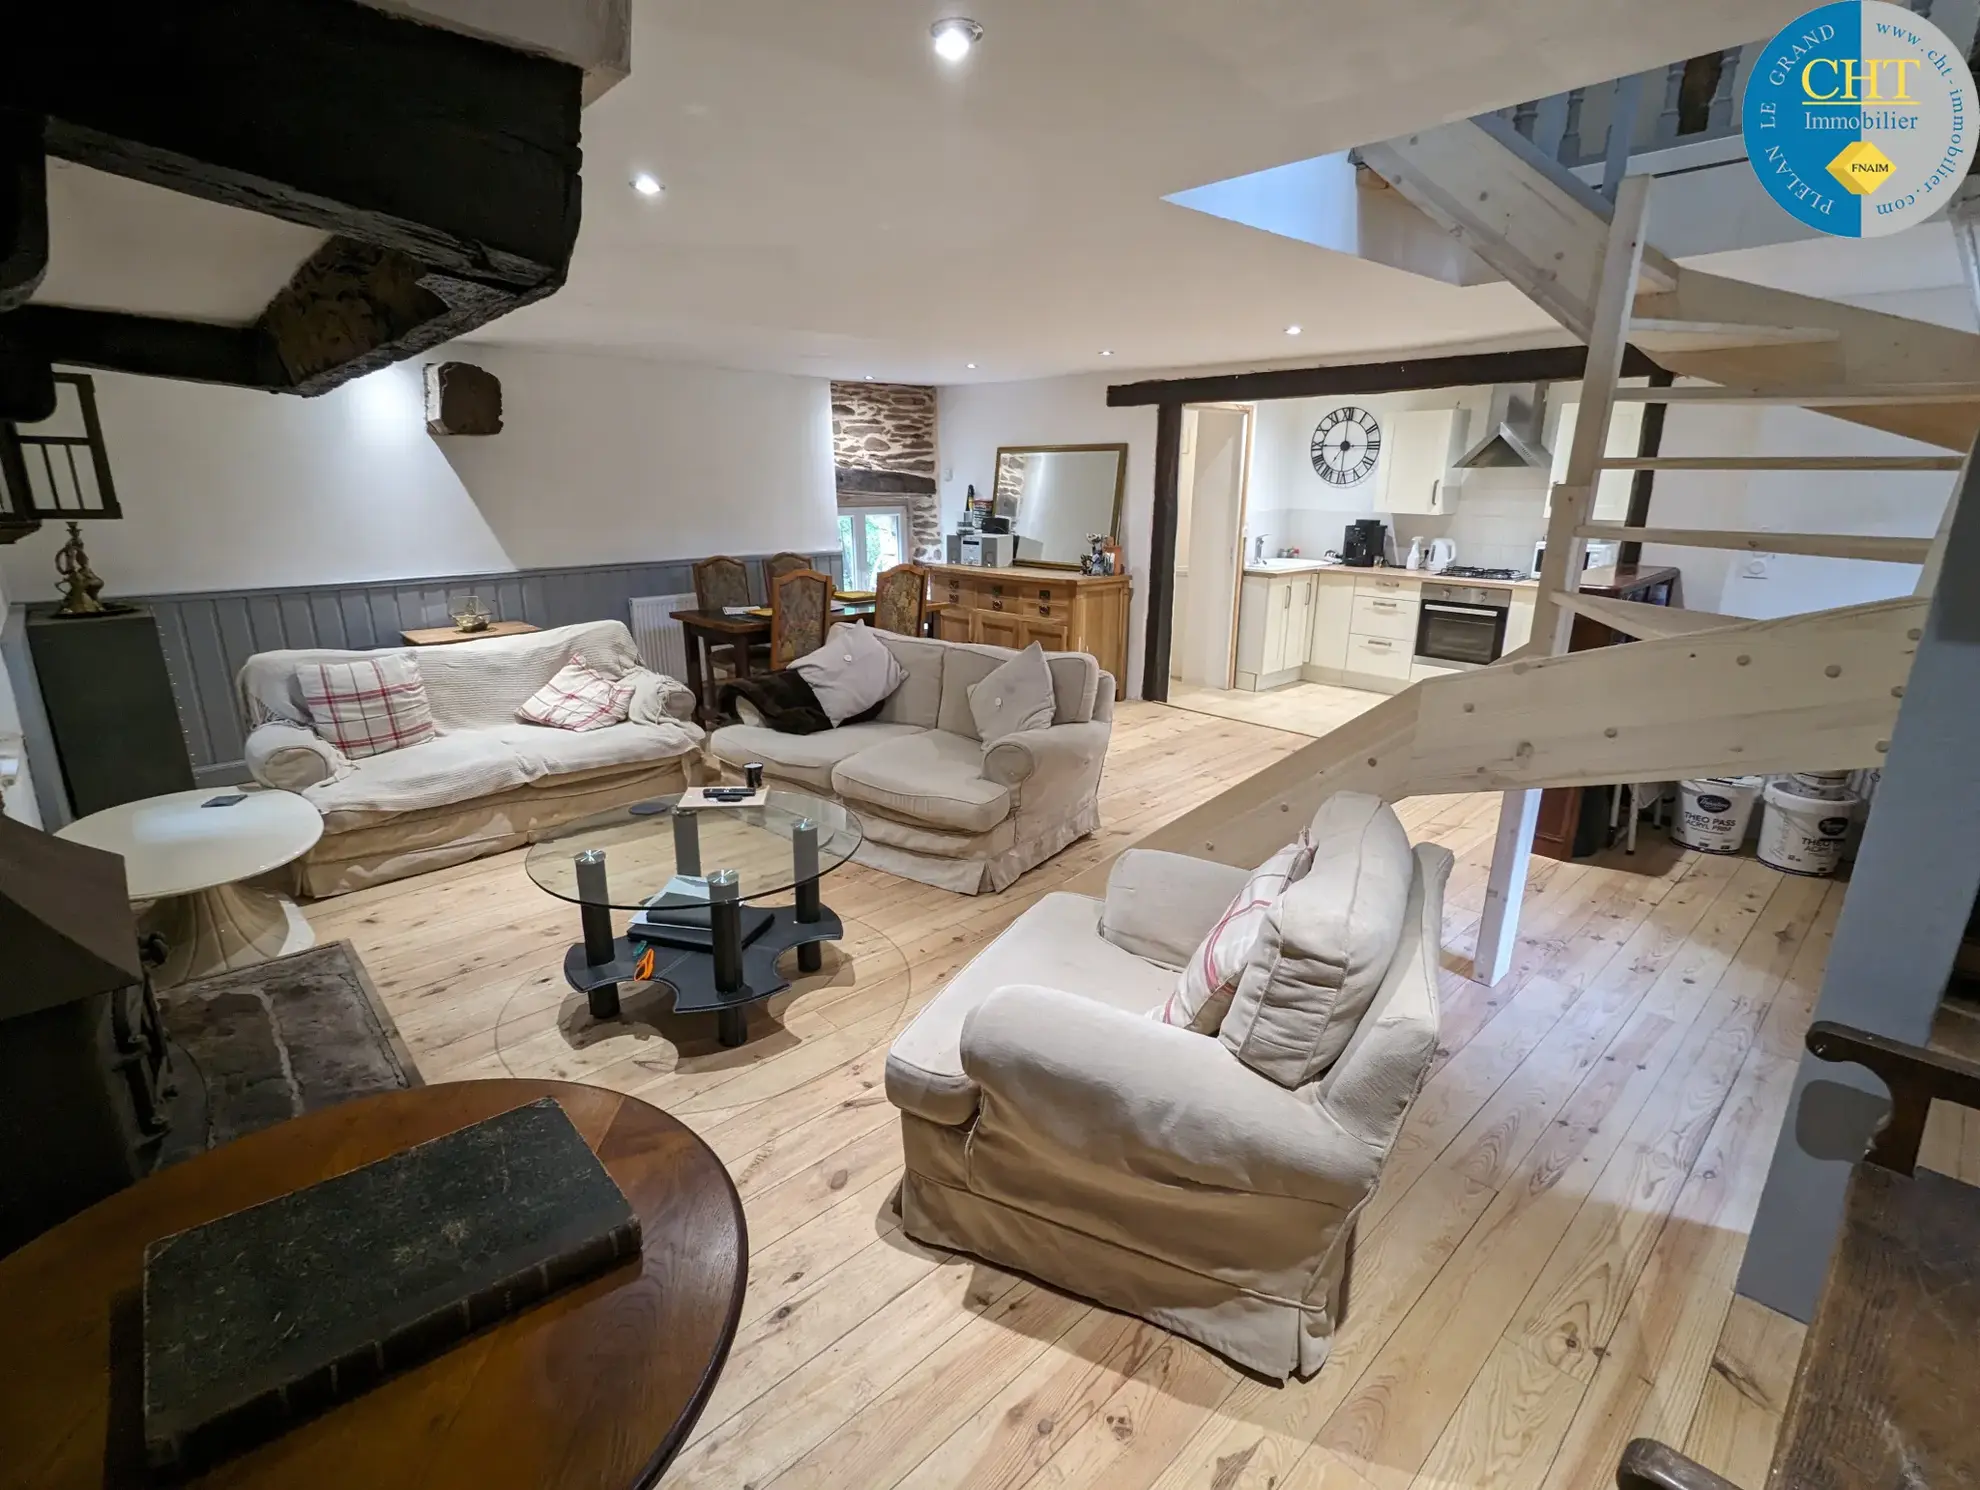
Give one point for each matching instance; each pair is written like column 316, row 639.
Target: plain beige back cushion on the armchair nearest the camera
column 1326, row 945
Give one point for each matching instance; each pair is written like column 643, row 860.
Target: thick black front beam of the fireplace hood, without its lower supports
column 330, row 114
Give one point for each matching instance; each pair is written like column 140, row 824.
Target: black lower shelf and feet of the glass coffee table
column 724, row 978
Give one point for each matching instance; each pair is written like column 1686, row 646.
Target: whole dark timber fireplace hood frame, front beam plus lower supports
column 445, row 167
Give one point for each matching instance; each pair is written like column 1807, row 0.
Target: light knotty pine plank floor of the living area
column 1545, row 1271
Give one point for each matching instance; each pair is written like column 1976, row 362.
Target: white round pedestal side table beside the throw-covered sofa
column 189, row 860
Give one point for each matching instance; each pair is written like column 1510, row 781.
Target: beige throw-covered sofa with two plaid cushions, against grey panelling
column 488, row 783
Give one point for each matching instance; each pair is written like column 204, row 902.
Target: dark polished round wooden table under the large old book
column 599, row 1386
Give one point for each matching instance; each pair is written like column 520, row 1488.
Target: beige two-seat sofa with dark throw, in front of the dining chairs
column 938, row 806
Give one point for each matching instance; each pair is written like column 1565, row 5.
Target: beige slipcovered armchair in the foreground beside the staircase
column 1203, row 1182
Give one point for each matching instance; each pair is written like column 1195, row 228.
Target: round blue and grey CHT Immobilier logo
column 1860, row 118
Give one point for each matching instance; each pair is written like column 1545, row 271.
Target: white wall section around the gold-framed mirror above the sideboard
column 975, row 419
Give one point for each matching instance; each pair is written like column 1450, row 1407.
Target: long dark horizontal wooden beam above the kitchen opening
column 1472, row 369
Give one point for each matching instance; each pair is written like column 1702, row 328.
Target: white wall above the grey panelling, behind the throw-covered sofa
column 601, row 460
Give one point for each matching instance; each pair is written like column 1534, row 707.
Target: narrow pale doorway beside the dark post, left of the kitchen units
column 1211, row 500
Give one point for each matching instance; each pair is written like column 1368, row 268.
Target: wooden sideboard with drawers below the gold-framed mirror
column 1060, row 610
